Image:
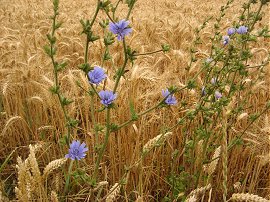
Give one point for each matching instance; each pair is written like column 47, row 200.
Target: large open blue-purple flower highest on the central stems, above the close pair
column 120, row 28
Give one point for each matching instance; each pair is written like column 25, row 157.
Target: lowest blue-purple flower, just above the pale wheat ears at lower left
column 77, row 150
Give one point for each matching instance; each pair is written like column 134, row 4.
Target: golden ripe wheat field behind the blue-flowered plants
column 31, row 114
